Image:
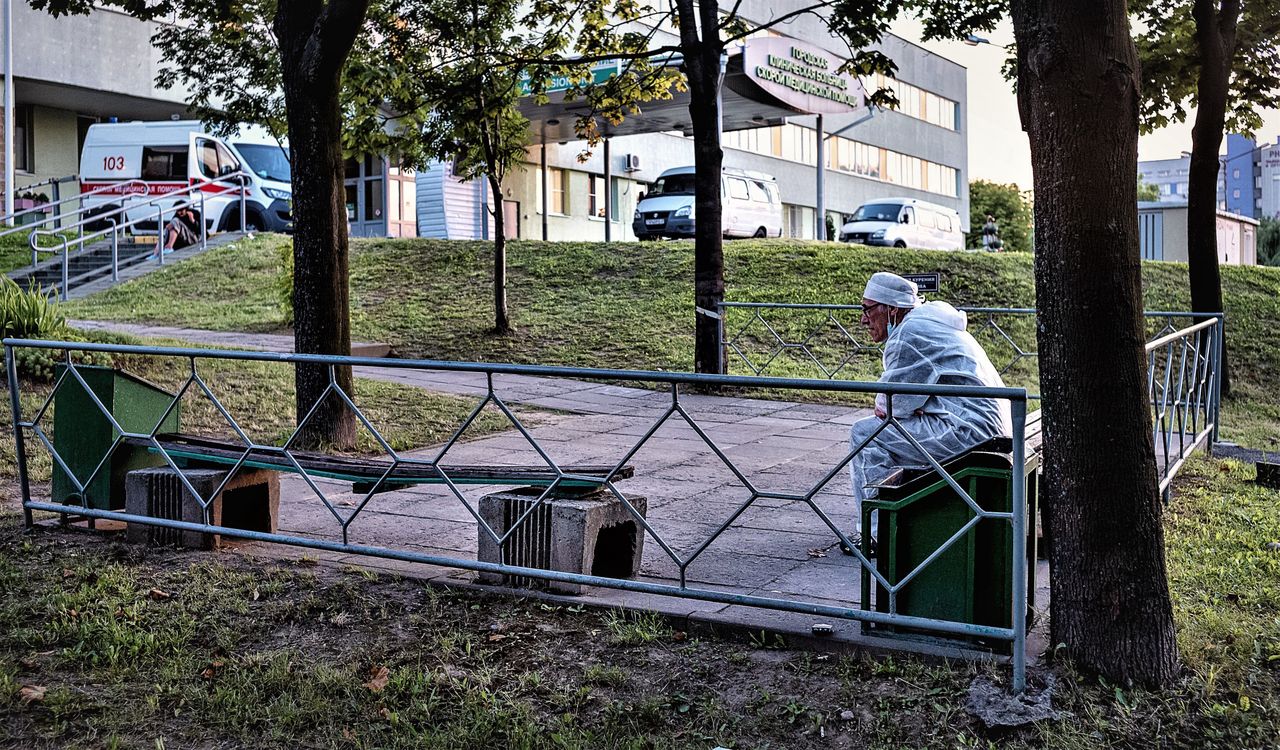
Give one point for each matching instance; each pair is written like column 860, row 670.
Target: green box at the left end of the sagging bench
column 83, row 435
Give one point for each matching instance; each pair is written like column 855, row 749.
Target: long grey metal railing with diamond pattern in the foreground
column 31, row 432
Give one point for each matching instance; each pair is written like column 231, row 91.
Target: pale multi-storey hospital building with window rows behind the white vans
column 920, row 150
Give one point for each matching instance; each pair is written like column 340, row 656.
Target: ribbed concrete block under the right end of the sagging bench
column 591, row 534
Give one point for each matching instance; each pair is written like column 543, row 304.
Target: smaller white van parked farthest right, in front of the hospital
column 904, row 223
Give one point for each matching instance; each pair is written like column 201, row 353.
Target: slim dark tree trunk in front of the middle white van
column 703, row 66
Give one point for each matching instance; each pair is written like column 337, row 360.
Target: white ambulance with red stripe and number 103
column 173, row 156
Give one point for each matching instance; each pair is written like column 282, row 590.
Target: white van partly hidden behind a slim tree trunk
column 751, row 202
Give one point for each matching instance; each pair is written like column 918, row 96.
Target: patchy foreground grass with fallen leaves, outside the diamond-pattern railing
column 109, row 646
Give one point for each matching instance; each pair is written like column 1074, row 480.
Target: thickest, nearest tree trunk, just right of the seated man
column 1078, row 98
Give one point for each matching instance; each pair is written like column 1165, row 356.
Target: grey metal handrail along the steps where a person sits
column 117, row 227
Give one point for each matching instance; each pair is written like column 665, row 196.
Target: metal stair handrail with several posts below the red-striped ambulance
column 120, row 221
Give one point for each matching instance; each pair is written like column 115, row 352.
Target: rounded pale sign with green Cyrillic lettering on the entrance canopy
column 802, row 76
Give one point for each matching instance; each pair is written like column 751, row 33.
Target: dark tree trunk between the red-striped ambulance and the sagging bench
column 314, row 39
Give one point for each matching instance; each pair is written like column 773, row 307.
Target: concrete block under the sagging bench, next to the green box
column 250, row 501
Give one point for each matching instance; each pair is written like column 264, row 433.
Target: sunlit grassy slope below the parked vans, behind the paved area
column 630, row 305
